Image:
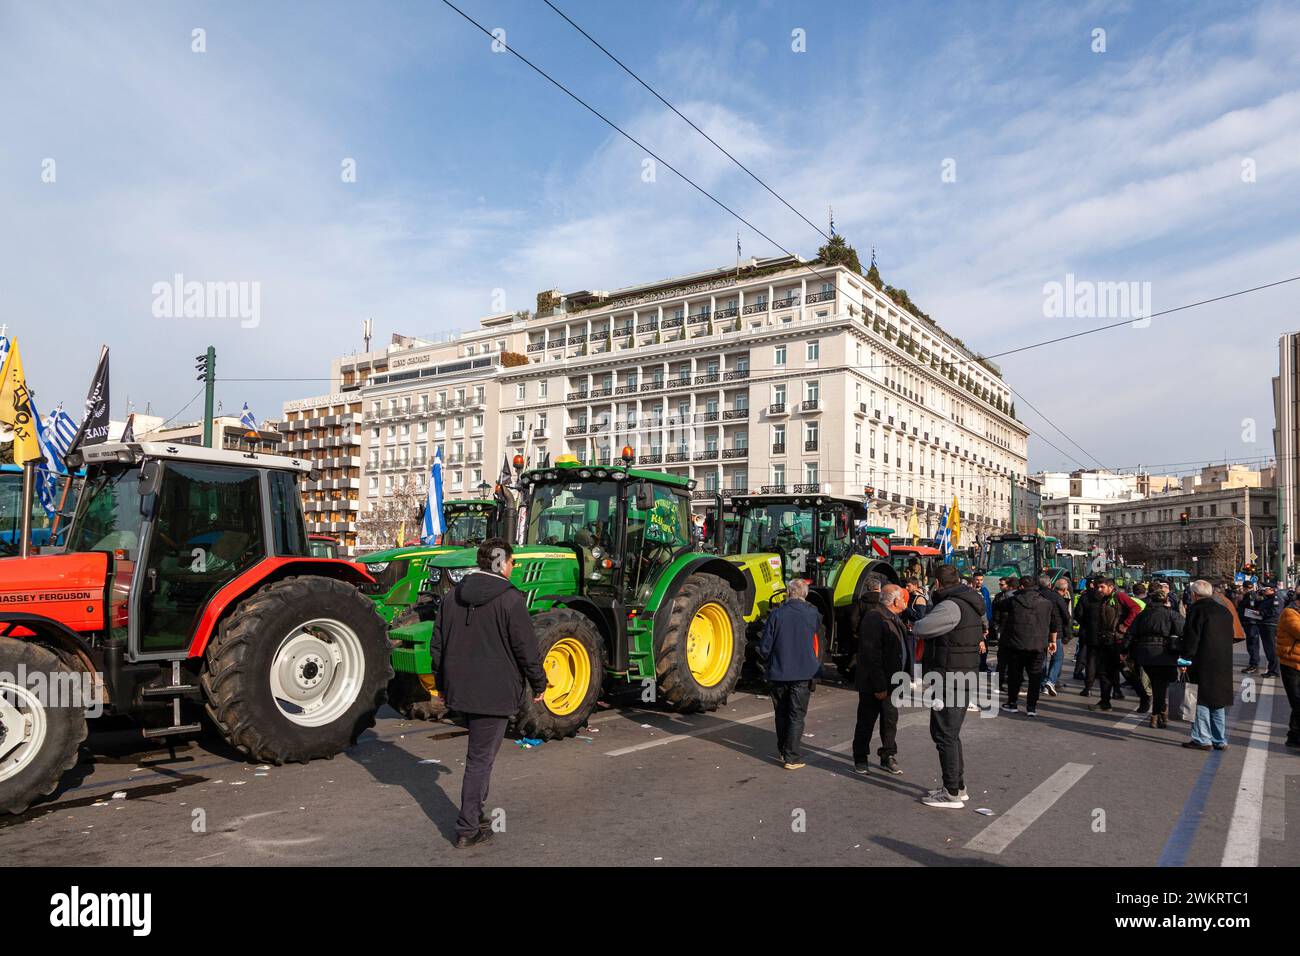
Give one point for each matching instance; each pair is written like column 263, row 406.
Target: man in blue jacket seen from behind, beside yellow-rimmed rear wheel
column 792, row 654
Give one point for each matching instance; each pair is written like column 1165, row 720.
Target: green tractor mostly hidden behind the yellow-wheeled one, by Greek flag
column 402, row 577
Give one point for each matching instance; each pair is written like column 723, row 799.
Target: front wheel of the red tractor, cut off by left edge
column 38, row 742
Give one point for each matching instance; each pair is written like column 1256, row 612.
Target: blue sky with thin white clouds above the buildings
column 382, row 161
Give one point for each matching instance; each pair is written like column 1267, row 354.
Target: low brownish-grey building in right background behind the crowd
column 1225, row 529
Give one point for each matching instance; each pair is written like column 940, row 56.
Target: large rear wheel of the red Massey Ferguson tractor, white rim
column 298, row 671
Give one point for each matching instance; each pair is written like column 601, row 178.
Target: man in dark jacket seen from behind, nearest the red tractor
column 483, row 651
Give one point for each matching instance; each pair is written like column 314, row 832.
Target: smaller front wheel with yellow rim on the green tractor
column 574, row 660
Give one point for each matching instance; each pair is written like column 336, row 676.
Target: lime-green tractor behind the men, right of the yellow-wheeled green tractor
column 814, row 537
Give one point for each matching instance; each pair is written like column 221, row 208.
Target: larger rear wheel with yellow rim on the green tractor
column 700, row 655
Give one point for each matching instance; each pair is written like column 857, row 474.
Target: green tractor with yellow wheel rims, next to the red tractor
column 618, row 594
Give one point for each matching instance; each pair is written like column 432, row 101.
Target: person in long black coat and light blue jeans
column 1207, row 652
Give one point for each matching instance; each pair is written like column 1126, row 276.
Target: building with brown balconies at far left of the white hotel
column 327, row 431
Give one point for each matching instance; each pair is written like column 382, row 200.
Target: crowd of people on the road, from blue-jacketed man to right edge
column 1151, row 639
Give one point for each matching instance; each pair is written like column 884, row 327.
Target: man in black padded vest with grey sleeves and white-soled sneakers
column 954, row 631
